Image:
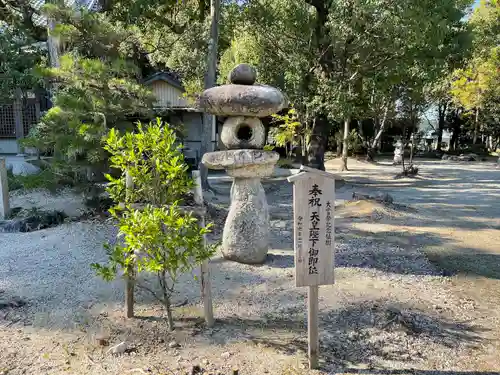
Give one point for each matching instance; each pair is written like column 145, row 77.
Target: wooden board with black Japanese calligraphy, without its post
column 314, row 204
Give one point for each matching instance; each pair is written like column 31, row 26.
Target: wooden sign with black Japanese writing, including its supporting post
column 313, row 210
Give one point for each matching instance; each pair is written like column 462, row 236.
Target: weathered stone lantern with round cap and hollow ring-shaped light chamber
column 246, row 232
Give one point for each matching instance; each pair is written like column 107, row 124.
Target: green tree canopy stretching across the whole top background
column 342, row 63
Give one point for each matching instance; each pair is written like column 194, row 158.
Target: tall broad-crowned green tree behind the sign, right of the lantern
column 333, row 57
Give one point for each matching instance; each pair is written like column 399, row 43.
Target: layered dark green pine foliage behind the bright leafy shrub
column 92, row 96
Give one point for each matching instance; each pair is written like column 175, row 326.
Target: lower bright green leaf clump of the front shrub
column 157, row 240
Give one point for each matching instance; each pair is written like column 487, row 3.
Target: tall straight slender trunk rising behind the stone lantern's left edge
column 209, row 120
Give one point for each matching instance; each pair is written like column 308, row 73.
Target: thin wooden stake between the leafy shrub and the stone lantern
column 206, row 290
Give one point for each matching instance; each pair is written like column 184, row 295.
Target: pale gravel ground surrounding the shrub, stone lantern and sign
column 390, row 307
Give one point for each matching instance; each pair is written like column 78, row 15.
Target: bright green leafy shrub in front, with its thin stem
column 160, row 238
